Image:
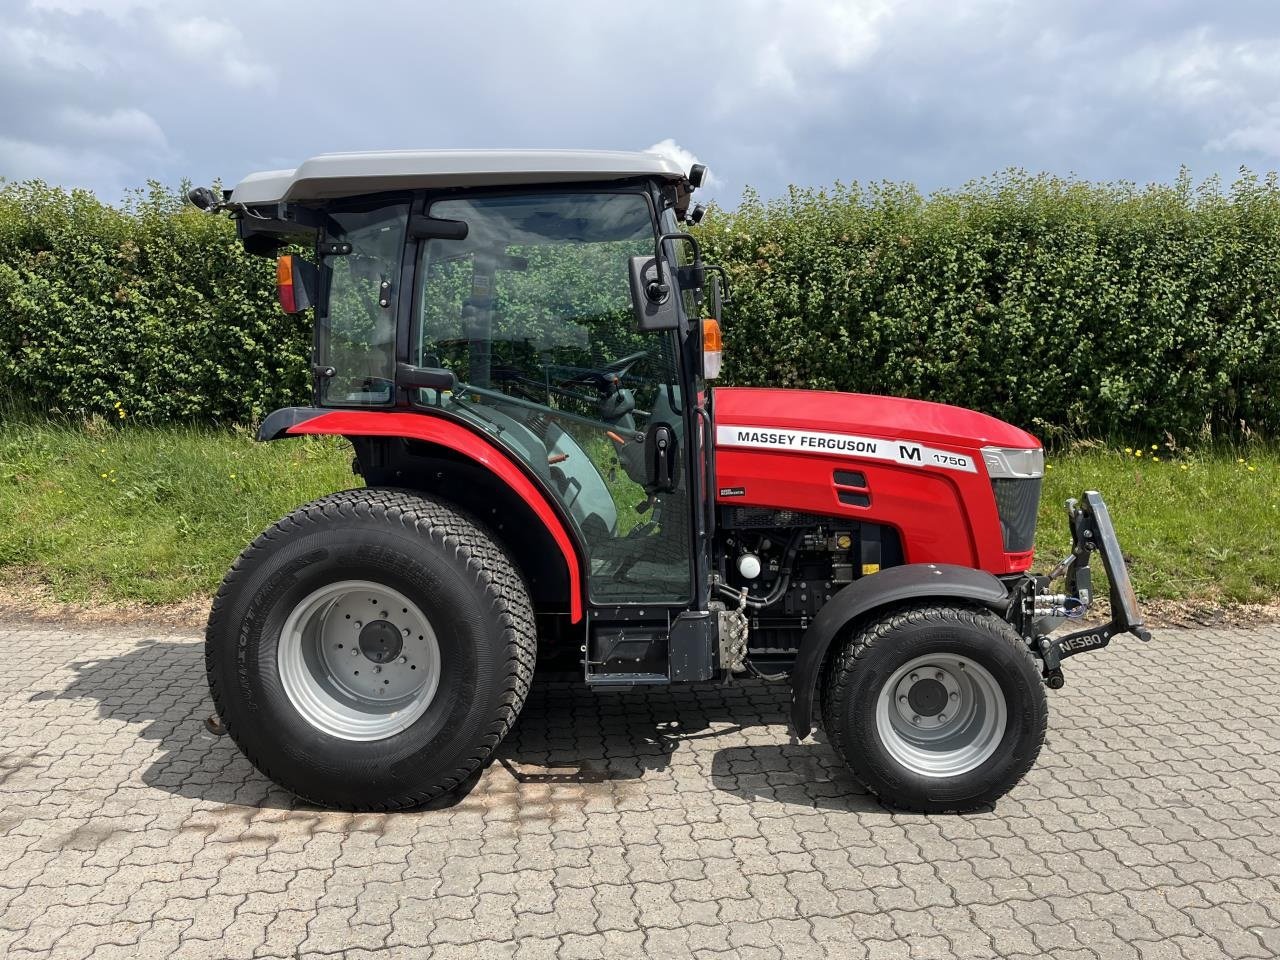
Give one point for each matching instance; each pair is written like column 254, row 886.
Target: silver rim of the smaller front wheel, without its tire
column 941, row 715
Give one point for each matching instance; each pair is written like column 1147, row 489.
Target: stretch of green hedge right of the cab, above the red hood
column 1068, row 308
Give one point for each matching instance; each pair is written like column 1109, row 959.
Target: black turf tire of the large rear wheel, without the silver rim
column 459, row 577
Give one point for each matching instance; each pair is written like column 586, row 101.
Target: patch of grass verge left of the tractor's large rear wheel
column 157, row 515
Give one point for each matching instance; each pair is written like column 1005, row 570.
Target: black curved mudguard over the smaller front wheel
column 894, row 586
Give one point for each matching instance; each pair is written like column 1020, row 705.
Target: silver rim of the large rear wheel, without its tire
column 359, row 661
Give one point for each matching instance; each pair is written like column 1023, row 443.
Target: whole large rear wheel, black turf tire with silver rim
column 371, row 651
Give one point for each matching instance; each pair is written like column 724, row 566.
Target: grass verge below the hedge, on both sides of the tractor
column 156, row 515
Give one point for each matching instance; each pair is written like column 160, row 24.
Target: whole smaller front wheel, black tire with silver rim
column 936, row 708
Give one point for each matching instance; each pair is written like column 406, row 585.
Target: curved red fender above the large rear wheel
column 300, row 422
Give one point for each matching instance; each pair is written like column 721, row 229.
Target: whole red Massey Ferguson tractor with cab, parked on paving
column 515, row 344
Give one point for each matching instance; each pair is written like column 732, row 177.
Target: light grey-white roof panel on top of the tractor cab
column 351, row 175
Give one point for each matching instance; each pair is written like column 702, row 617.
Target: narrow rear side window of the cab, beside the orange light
column 356, row 335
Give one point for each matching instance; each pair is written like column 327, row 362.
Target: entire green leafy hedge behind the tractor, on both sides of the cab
column 1071, row 308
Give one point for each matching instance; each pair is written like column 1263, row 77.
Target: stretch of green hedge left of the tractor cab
column 153, row 307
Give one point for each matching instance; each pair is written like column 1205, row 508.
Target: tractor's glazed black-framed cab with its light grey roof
column 557, row 317
